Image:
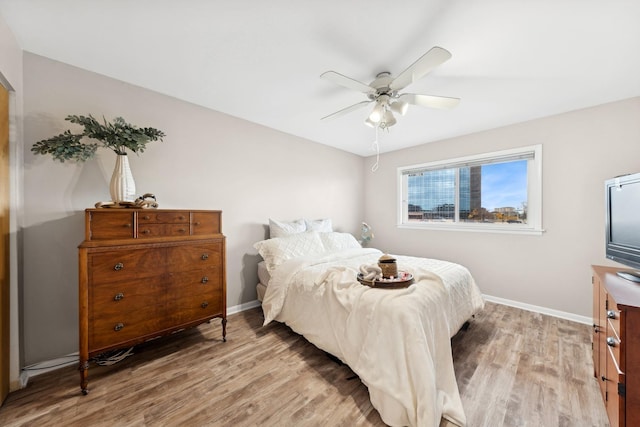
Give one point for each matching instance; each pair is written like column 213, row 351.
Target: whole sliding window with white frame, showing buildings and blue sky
column 498, row 191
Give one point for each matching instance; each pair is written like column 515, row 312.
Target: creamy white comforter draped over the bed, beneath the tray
column 396, row 340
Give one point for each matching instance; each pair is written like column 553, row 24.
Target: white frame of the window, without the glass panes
column 534, row 193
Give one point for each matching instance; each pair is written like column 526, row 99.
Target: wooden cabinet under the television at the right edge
column 616, row 344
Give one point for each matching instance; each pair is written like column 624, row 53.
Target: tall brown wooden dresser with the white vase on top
column 144, row 273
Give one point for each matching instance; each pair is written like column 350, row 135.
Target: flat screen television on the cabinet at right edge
column 623, row 223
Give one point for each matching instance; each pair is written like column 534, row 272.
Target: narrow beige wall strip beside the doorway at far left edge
column 11, row 76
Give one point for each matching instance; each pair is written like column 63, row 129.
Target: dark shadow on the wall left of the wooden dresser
column 49, row 304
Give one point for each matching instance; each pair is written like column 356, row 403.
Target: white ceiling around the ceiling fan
column 261, row 60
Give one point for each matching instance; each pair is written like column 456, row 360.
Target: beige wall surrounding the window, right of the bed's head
column 580, row 150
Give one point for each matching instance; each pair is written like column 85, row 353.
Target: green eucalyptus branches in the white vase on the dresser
column 118, row 136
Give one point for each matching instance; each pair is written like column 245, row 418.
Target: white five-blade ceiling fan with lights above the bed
column 384, row 90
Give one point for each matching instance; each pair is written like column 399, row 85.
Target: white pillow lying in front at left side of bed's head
column 280, row 249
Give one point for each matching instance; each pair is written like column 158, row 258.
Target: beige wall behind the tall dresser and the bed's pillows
column 208, row 160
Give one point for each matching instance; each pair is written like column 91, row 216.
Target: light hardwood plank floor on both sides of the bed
column 514, row 368
